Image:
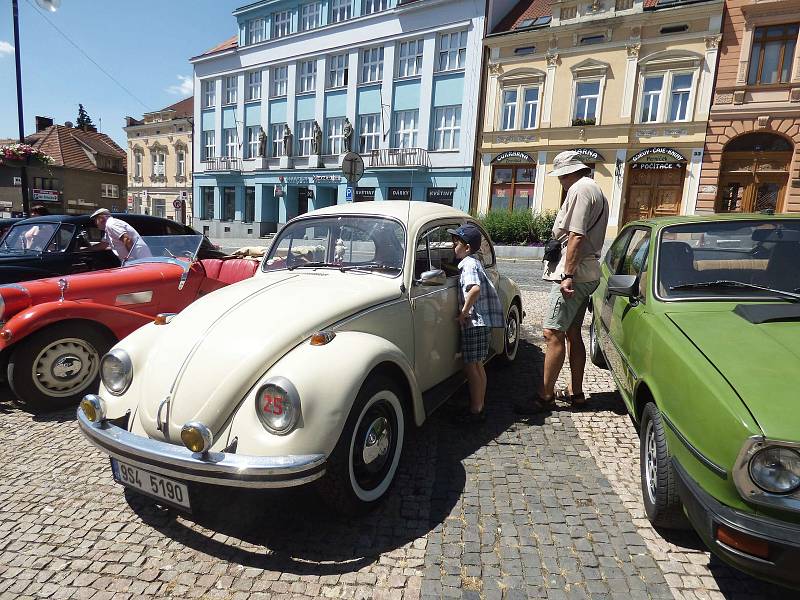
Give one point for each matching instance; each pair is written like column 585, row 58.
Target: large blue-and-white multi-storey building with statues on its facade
column 403, row 76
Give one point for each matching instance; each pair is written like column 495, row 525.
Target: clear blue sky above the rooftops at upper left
column 144, row 44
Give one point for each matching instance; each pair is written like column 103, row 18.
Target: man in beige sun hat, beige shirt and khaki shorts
column 581, row 227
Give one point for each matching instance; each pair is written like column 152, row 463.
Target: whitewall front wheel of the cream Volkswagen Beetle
column 363, row 464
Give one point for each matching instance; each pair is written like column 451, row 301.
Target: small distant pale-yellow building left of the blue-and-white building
column 160, row 162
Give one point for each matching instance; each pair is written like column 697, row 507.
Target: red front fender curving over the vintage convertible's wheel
column 119, row 321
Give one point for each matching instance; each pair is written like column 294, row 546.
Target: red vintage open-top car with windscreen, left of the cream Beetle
column 53, row 332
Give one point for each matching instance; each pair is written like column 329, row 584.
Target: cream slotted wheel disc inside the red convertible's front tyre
column 65, row 367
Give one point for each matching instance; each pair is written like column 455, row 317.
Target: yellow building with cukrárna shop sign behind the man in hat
column 627, row 83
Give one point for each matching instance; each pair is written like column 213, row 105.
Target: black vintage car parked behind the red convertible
column 54, row 245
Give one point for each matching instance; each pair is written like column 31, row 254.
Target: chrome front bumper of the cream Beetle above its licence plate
column 217, row 468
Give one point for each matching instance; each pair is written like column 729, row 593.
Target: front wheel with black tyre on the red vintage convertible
column 56, row 366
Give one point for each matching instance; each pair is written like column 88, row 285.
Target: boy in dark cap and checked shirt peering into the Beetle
column 479, row 311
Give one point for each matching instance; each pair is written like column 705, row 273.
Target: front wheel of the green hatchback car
column 659, row 485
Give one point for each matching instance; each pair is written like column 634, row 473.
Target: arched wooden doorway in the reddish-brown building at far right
column 755, row 170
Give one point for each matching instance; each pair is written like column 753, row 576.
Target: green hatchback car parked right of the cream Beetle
column 698, row 319
